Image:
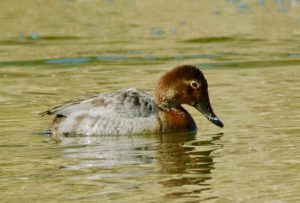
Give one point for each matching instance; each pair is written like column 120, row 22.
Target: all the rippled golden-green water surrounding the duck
column 62, row 50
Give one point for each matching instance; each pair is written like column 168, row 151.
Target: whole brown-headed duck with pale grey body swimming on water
column 132, row 111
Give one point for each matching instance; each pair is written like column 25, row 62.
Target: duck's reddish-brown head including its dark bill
column 185, row 85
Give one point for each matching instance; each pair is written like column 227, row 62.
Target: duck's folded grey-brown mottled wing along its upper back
column 126, row 103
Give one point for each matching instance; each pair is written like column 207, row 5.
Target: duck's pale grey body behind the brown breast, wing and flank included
column 122, row 112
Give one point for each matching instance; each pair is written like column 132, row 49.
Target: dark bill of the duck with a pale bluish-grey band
column 205, row 108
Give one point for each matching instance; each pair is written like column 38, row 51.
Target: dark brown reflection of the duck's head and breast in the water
column 187, row 162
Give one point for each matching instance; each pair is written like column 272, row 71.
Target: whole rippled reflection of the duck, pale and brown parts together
column 179, row 163
